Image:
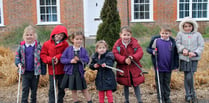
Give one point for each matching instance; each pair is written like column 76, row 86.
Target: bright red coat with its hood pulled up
column 49, row 50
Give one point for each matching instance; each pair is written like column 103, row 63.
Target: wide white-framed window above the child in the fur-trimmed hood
column 197, row 9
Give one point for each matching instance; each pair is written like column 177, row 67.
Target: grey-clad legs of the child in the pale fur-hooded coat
column 189, row 84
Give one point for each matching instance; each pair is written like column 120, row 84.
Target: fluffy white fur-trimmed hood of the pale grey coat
column 188, row 20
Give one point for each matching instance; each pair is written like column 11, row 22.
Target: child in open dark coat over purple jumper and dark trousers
column 167, row 60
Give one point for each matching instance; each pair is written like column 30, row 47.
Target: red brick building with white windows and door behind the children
column 84, row 14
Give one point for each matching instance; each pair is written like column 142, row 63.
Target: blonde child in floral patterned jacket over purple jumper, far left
column 28, row 59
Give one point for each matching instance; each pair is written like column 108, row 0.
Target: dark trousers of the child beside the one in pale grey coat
column 165, row 79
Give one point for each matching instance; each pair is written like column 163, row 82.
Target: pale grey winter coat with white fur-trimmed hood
column 192, row 41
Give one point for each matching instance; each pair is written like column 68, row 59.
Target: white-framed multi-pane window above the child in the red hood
column 48, row 12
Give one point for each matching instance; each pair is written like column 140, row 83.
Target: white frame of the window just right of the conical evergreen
column 142, row 20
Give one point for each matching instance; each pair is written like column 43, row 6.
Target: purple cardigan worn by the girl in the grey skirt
column 68, row 55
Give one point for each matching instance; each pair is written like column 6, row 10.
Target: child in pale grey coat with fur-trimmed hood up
column 190, row 45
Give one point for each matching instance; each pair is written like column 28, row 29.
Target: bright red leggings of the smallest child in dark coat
column 108, row 94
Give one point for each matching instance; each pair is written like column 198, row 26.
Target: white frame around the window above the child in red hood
column 48, row 23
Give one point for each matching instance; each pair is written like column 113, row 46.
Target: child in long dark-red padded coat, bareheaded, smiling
column 125, row 50
